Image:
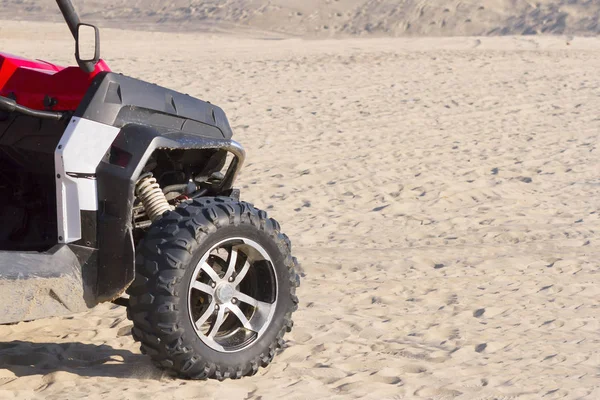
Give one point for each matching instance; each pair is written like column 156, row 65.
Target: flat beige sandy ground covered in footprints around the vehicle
column 442, row 195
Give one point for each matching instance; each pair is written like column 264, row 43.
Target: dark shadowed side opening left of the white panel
column 27, row 182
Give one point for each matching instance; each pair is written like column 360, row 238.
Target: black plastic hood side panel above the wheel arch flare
column 118, row 100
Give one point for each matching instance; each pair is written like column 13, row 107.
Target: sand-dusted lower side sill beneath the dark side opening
column 41, row 285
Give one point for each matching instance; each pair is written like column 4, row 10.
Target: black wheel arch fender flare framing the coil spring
column 116, row 177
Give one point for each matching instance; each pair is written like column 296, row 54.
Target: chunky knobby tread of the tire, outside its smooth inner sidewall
column 159, row 267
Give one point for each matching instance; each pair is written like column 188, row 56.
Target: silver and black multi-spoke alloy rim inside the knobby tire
column 232, row 295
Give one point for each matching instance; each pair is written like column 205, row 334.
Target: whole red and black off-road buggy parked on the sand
column 117, row 190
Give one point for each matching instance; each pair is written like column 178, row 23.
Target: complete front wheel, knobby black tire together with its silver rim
column 214, row 289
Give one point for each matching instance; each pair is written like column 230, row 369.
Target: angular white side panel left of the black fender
column 80, row 150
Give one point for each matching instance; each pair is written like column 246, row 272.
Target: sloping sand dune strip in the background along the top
column 319, row 18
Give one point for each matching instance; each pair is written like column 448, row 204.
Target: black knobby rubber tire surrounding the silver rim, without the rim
column 158, row 304
